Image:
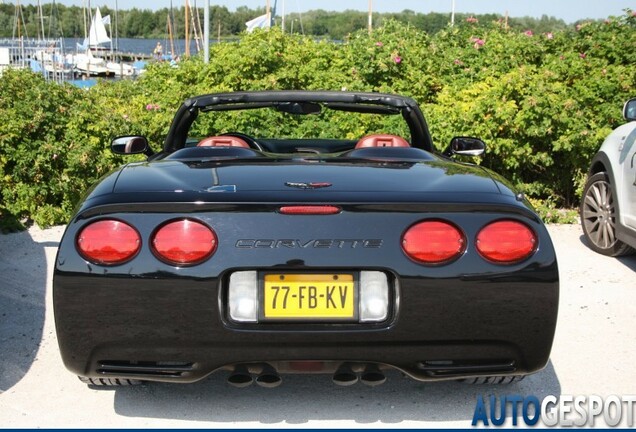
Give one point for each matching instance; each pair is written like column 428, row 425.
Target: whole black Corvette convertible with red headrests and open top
column 303, row 232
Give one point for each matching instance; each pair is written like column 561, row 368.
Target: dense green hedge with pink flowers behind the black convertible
column 542, row 102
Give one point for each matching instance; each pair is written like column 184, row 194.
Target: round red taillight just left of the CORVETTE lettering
column 184, row 242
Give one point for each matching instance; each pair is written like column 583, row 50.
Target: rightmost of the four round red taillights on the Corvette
column 506, row 242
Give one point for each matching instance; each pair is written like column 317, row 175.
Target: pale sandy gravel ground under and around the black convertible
column 593, row 353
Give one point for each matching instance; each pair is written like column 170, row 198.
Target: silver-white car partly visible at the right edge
column 608, row 205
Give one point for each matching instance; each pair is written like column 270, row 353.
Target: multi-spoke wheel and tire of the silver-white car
column 598, row 217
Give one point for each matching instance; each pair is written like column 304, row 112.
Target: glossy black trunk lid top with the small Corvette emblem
column 312, row 176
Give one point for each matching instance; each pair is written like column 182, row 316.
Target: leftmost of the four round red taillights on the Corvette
column 108, row 242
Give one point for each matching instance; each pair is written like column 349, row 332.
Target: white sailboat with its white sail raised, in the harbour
column 86, row 63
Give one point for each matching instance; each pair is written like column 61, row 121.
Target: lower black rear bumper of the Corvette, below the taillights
column 166, row 328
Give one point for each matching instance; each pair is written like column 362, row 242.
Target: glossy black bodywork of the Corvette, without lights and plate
column 150, row 320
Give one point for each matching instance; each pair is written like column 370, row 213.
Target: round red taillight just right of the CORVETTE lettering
column 433, row 242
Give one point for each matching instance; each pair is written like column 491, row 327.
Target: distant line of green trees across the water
column 68, row 21
